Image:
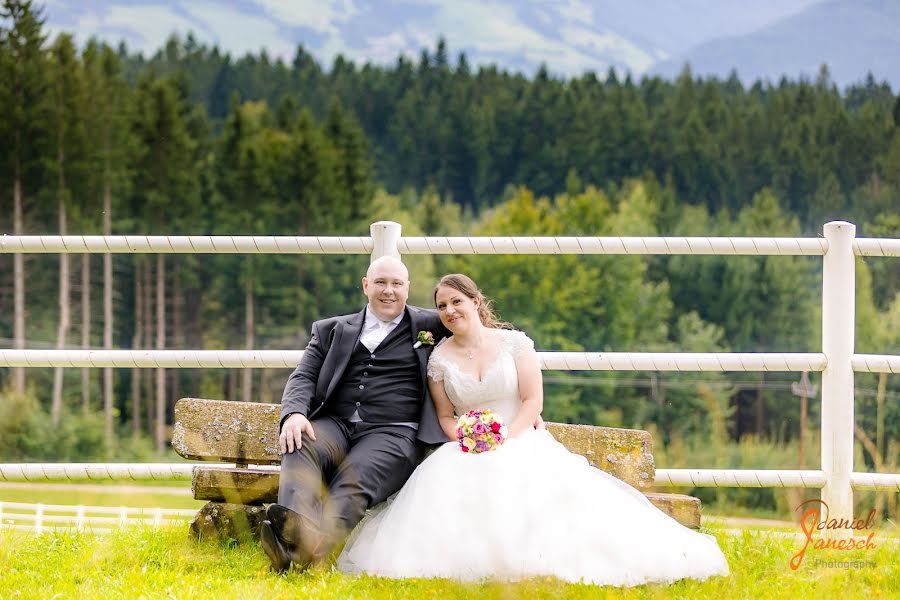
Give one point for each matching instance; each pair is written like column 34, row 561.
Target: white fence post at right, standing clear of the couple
column 838, row 335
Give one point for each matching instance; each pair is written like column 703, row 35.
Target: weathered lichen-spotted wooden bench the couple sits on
column 246, row 433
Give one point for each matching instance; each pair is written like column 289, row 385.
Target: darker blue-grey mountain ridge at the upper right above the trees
column 853, row 37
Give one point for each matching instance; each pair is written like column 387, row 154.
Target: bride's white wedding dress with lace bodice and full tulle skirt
column 529, row 508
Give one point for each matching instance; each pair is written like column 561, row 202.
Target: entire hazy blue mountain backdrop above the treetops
column 764, row 38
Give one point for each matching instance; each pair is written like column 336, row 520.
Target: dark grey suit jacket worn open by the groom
column 313, row 382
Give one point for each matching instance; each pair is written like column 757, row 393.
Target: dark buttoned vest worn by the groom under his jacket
column 385, row 385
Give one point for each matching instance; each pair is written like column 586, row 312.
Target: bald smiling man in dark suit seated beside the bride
column 355, row 416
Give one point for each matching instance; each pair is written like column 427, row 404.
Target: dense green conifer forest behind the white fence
column 101, row 140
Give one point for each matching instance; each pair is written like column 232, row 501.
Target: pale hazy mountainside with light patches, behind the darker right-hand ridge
column 571, row 36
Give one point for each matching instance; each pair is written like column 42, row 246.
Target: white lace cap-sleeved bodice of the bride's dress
column 499, row 388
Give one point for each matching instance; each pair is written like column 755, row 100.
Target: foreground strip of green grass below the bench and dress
column 146, row 563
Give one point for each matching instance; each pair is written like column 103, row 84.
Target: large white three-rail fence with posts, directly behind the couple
column 837, row 360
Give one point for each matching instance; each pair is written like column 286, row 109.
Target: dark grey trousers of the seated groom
column 332, row 480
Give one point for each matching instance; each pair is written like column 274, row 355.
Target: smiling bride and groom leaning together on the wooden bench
column 374, row 389
